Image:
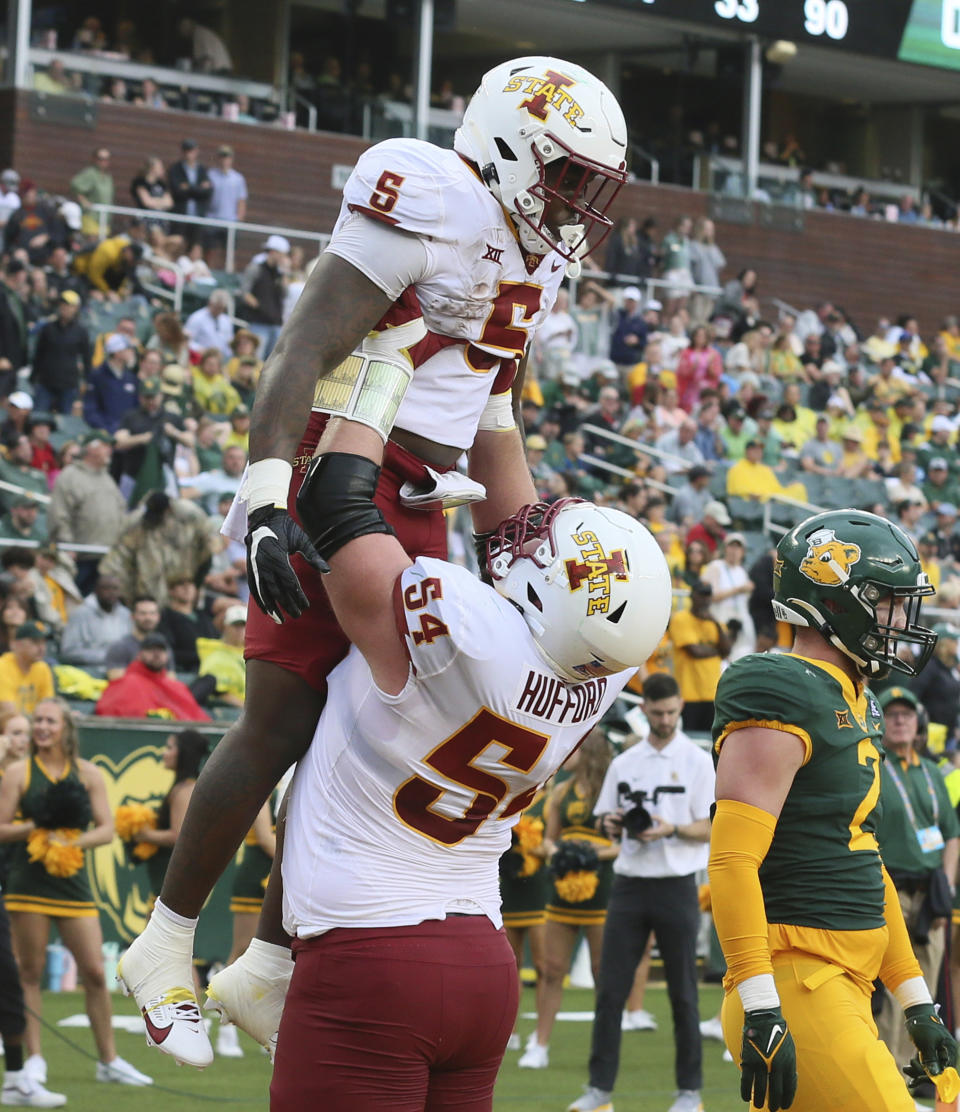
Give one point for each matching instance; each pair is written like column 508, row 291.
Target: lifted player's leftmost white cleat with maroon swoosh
column 161, row 978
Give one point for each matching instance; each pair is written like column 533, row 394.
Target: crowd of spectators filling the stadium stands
column 714, row 422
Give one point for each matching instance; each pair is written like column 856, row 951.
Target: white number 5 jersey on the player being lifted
column 482, row 297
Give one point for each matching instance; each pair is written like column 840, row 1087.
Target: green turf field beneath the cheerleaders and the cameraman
column 646, row 1083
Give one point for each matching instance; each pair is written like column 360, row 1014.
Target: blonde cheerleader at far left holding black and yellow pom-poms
column 54, row 808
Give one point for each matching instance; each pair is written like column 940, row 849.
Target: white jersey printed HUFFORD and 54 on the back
column 404, row 805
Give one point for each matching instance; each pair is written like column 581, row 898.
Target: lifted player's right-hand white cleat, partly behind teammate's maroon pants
column 251, row 991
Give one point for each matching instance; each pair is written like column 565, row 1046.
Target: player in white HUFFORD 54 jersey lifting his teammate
column 456, row 704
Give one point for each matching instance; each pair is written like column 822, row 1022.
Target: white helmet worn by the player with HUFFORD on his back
column 591, row 583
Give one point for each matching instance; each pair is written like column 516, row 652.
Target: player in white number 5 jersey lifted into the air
column 441, row 267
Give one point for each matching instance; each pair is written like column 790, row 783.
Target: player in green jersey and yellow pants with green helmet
column 805, row 910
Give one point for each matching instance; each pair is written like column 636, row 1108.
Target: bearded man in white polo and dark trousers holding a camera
column 656, row 799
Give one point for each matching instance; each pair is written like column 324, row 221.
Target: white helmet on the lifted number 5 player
column 542, row 130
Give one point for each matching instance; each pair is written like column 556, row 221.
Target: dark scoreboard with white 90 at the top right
column 923, row 32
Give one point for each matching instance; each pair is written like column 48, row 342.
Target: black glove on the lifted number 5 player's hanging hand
column 273, row 538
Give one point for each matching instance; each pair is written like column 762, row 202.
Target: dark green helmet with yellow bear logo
column 837, row 572
